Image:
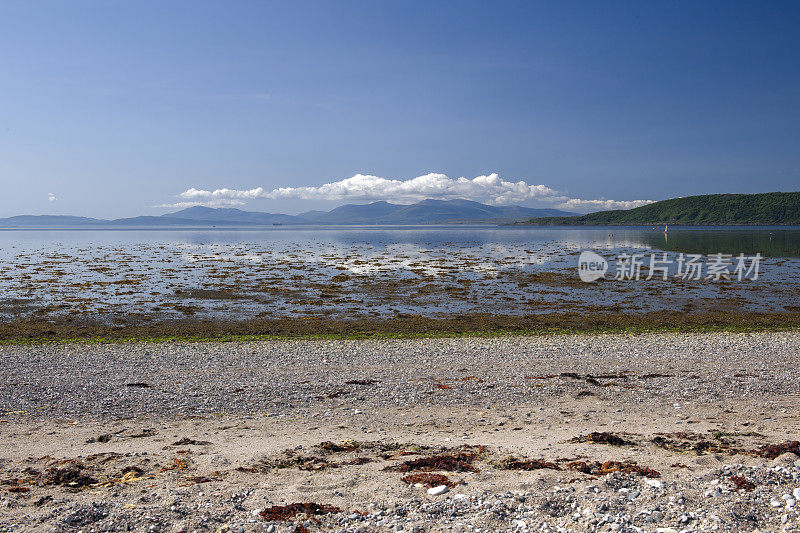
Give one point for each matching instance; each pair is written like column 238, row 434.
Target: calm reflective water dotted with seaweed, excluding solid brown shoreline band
column 375, row 271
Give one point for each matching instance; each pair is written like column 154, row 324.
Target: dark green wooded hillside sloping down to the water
column 764, row 209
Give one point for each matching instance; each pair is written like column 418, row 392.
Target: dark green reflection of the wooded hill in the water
column 769, row 243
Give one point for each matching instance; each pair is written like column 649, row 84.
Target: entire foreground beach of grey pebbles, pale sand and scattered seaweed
column 653, row 432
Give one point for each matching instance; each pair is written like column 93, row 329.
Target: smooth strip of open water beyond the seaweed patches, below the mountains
column 777, row 241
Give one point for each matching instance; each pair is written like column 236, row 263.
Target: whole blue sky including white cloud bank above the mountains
column 114, row 108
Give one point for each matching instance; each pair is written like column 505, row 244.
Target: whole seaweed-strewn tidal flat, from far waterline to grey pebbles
column 345, row 280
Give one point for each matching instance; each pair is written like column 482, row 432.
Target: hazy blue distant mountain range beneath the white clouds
column 425, row 212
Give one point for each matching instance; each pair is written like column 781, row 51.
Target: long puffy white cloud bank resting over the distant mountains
column 489, row 189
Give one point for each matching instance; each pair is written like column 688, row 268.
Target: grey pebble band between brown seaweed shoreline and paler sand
column 151, row 379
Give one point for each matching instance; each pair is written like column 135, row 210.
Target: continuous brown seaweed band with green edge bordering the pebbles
column 595, row 320
